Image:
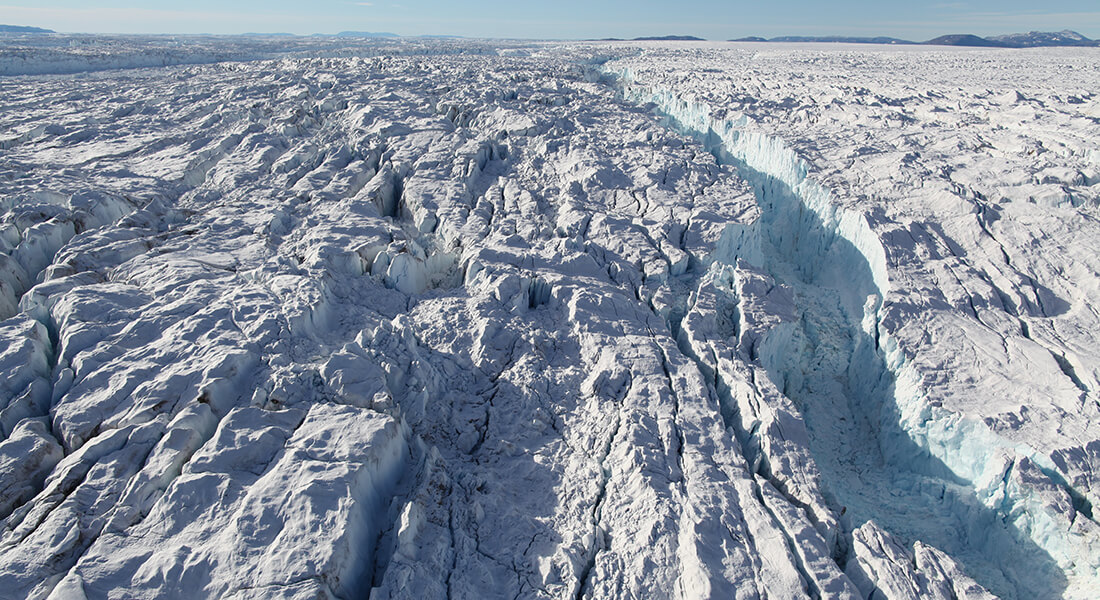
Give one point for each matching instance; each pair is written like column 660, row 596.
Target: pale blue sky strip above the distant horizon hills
column 562, row 19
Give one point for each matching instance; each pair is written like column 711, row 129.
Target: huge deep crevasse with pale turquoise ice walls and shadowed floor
column 807, row 239
